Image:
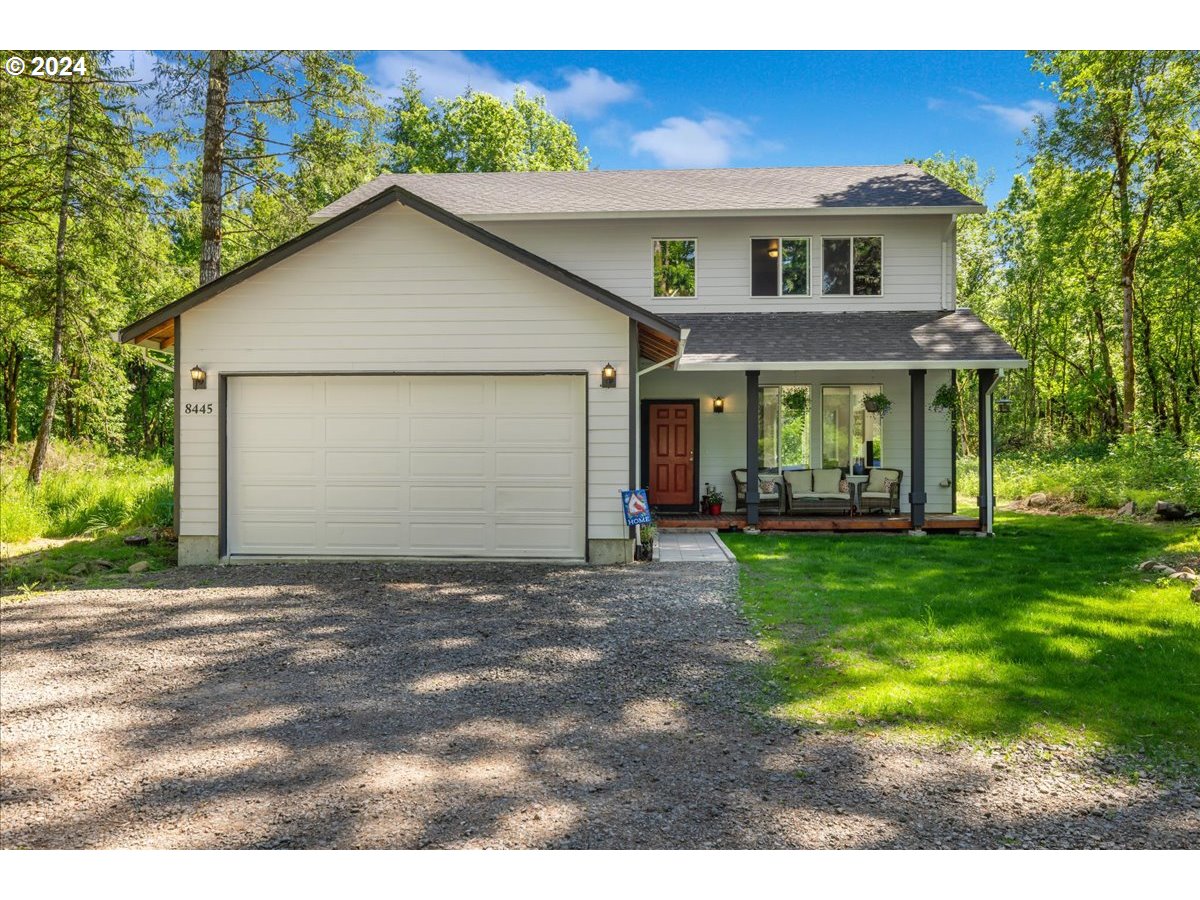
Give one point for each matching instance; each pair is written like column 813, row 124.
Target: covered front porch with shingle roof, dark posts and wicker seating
column 778, row 413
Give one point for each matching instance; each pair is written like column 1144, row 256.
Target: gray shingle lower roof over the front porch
column 745, row 340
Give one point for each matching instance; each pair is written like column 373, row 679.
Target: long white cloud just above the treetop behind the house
column 586, row 93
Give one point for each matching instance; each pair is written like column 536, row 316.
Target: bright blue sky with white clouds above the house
column 637, row 110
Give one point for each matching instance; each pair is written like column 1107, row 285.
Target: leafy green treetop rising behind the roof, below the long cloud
column 479, row 133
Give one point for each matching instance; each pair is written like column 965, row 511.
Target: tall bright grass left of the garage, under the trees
column 83, row 491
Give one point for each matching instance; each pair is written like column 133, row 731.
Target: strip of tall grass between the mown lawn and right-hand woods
column 1139, row 467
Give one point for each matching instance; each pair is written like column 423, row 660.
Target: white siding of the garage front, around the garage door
column 398, row 292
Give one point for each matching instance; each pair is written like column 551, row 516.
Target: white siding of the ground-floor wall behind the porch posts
column 723, row 437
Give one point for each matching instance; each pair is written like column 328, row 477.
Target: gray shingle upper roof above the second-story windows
column 517, row 194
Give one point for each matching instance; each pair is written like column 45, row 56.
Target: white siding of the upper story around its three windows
column 616, row 255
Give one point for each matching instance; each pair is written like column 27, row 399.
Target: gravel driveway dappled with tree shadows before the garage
column 412, row 706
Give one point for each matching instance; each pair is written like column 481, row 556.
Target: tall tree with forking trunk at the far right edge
column 1124, row 113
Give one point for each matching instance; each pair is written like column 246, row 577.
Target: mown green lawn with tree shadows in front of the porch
column 1045, row 632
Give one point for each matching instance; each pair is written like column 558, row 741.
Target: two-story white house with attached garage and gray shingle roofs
column 476, row 365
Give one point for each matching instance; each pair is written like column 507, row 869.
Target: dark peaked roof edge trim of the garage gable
column 391, row 195
